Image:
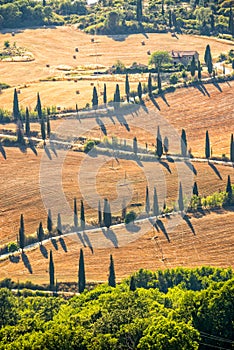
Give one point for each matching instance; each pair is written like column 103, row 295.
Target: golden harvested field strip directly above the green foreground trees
column 197, row 242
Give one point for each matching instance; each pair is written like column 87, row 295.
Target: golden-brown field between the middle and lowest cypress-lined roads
column 33, row 183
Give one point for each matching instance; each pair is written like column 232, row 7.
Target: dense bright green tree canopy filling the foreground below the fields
column 171, row 309
